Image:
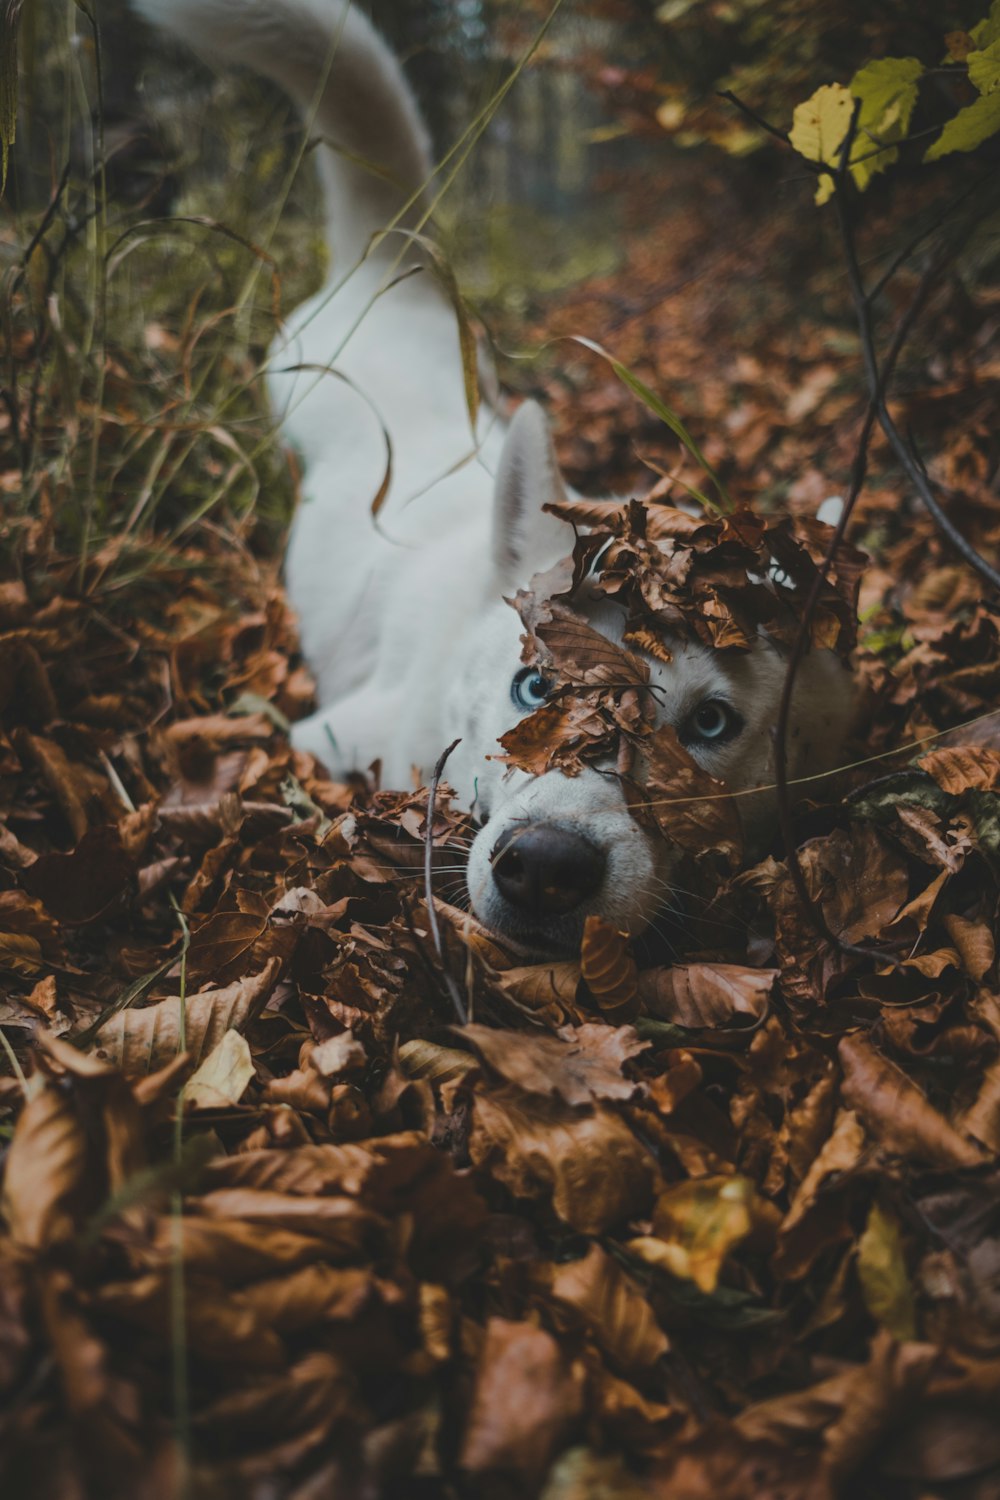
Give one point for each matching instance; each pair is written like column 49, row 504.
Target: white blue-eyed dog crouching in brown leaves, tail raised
column 404, row 623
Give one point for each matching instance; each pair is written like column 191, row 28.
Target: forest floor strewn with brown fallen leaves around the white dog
column 275, row 1225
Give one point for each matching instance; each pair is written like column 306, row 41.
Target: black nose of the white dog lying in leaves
column 545, row 869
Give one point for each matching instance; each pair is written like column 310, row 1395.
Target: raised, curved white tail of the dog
column 349, row 86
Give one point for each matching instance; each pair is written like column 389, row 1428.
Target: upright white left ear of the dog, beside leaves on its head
column 527, row 538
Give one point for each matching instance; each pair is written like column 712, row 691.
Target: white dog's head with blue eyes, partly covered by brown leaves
column 554, row 848
